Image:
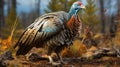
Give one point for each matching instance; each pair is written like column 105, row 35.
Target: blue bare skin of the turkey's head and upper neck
column 74, row 10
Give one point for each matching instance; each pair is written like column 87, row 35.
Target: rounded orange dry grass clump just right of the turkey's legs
column 76, row 50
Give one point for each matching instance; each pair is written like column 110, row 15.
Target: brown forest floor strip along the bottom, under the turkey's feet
column 35, row 60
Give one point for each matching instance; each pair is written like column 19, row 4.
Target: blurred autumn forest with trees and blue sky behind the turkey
column 101, row 18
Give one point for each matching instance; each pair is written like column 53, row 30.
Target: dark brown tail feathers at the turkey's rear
column 26, row 41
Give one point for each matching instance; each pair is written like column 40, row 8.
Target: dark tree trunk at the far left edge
column 2, row 22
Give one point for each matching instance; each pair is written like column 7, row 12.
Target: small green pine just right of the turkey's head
column 89, row 16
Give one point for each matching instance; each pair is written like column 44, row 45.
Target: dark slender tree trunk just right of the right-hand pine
column 102, row 16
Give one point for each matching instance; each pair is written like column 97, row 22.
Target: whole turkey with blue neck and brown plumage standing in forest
column 55, row 30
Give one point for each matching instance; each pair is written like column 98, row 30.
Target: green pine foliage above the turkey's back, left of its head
column 59, row 5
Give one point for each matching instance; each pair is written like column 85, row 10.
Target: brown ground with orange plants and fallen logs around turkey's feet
column 72, row 57
